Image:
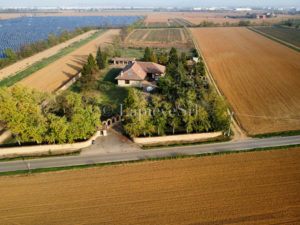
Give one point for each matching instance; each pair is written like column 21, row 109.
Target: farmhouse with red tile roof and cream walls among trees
column 137, row 73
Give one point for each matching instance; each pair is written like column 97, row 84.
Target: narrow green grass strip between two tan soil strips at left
column 9, row 81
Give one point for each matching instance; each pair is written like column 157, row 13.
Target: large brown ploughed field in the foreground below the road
column 245, row 188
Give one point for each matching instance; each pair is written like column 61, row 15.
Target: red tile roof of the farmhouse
column 139, row 70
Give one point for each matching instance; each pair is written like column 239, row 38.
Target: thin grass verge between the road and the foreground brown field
column 141, row 160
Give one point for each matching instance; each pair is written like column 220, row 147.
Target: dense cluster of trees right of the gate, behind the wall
column 184, row 102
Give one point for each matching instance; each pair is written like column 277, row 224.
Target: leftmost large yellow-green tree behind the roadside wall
column 21, row 113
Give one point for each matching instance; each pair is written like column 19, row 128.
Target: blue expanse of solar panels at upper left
column 16, row 32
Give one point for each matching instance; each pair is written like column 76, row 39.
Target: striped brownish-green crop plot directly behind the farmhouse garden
column 165, row 37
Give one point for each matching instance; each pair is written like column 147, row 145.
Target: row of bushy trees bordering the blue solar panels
column 30, row 49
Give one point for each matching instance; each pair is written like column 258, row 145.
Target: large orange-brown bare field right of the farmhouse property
column 259, row 77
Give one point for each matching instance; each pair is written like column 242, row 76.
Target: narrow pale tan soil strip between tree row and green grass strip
column 23, row 64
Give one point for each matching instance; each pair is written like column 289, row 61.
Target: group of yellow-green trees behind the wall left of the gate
column 34, row 116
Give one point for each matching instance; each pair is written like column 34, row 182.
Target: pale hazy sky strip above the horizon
column 143, row 3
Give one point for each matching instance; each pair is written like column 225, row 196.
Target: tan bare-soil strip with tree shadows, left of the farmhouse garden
column 59, row 72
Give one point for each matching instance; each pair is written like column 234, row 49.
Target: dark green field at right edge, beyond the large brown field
column 290, row 35
